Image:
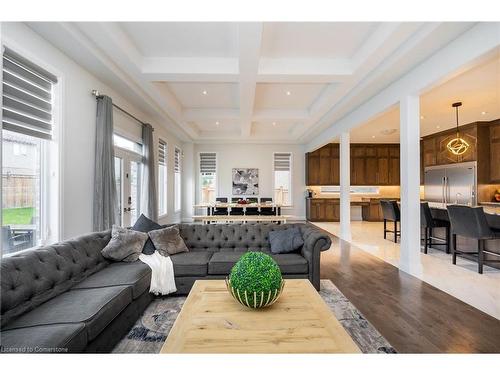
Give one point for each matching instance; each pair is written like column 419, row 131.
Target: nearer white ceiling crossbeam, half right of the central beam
column 287, row 70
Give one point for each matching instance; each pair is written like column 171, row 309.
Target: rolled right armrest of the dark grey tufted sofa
column 316, row 240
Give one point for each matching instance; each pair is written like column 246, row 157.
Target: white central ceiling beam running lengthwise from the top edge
column 249, row 44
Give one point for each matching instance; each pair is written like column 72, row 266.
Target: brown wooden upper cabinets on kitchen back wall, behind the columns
column 371, row 164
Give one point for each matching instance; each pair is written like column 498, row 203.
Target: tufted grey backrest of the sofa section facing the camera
column 229, row 237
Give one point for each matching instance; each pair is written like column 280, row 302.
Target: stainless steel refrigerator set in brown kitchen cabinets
column 451, row 184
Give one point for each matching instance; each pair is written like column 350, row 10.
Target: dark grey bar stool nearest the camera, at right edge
column 471, row 222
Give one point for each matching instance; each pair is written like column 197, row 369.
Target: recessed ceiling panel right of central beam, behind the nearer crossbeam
column 286, row 96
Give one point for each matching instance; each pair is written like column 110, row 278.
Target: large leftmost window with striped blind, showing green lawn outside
column 29, row 189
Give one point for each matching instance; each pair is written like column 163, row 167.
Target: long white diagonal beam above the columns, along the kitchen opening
column 458, row 56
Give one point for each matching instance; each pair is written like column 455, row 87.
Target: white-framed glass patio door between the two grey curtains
column 128, row 169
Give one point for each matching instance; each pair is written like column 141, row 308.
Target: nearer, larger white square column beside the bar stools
column 410, row 184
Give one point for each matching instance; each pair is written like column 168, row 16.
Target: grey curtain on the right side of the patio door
column 149, row 205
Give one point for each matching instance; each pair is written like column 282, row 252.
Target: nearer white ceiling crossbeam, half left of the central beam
column 190, row 69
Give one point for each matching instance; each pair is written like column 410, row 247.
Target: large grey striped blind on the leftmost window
column 27, row 96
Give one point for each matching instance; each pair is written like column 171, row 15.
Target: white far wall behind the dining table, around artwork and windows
column 260, row 156
